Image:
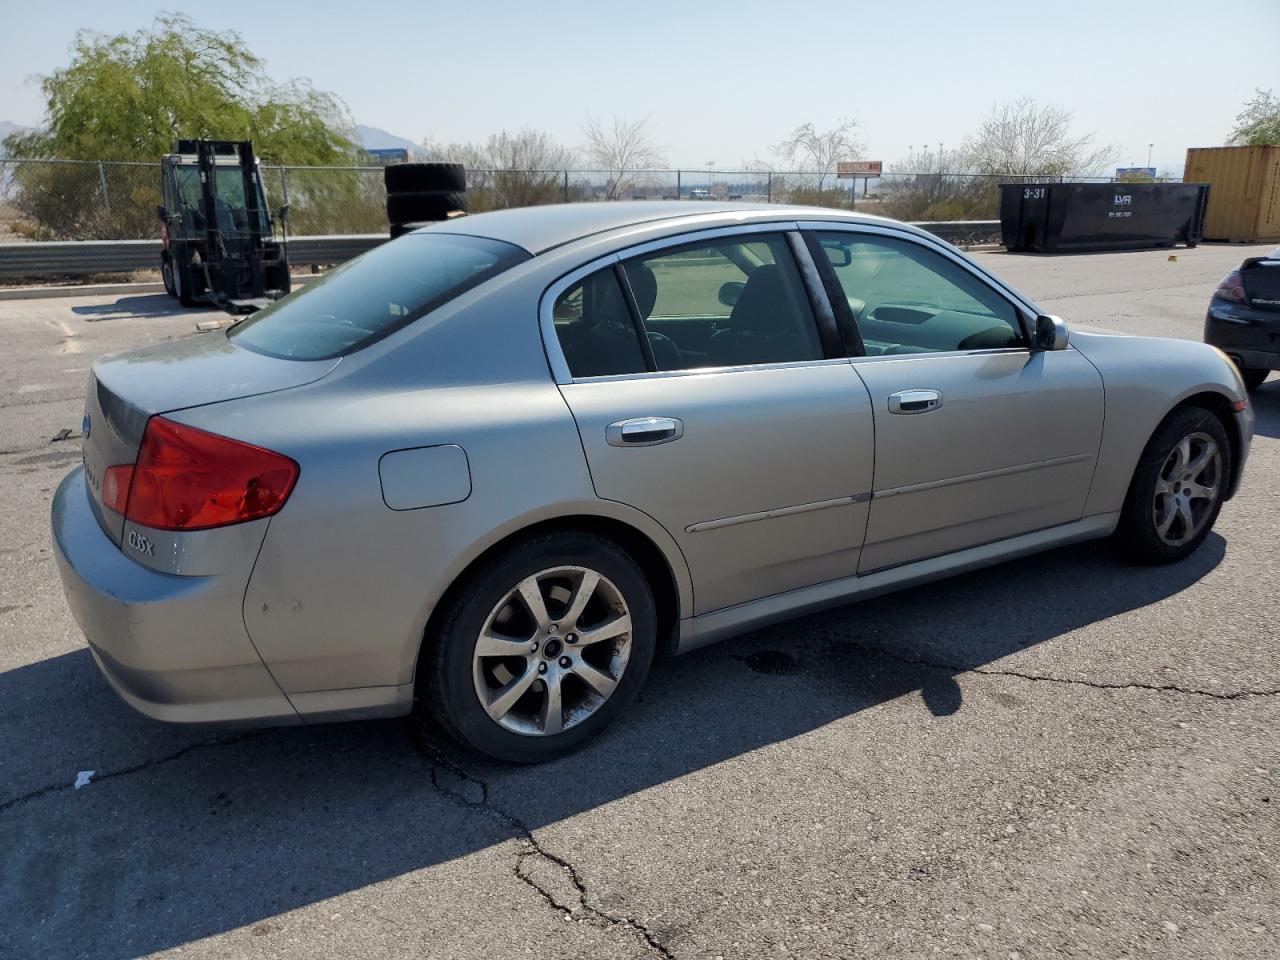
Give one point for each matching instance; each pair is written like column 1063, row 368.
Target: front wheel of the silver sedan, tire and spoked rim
column 1153, row 528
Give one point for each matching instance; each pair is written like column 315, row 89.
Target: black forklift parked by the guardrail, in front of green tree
column 218, row 235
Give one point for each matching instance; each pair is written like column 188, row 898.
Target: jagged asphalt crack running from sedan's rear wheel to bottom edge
column 533, row 851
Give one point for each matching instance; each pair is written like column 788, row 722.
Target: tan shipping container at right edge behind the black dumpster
column 1245, row 207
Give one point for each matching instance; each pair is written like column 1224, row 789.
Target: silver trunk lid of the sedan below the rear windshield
column 125, row 391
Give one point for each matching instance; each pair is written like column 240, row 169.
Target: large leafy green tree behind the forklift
column 129, row 98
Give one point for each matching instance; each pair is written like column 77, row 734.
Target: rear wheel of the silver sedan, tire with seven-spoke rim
column 454, row 674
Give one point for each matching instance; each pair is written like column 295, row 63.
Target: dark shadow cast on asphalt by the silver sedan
column 186, row 834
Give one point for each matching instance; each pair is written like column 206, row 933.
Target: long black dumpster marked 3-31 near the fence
column 1062, row 217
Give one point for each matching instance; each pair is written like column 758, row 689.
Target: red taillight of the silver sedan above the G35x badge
column 188, row 479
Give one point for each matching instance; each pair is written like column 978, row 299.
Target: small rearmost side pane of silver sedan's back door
column 596, row 331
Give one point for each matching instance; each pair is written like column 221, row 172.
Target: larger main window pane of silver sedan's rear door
column 723, row 304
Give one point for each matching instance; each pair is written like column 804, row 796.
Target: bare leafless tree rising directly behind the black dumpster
column 1025, row 139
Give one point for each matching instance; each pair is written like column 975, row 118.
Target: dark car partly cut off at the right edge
column 1244, row 318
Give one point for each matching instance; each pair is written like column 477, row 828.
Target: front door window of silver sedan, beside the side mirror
column 907, row 299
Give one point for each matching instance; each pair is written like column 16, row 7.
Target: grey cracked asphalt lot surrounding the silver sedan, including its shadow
column 1059, row 757
